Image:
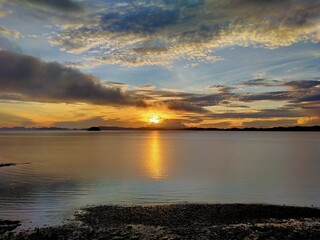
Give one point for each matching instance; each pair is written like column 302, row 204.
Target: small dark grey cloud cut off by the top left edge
column 65, row 5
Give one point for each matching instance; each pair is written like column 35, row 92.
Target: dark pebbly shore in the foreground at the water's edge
column 186, row 221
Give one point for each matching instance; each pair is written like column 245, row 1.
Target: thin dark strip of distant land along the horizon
column 109, row 128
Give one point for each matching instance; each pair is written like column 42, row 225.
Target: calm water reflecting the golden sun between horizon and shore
column 69, row 170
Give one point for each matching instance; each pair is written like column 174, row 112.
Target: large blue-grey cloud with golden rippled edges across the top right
column 158, row 32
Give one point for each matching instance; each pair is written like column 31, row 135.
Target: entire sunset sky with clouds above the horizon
column 185, row 63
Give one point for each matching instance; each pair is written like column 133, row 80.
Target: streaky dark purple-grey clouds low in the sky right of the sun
column 300, row 98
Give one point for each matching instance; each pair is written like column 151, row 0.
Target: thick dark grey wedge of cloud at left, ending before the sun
column 36, row 80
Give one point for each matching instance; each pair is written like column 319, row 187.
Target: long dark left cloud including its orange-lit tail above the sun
column 27, row 78
